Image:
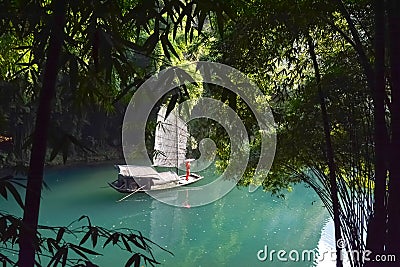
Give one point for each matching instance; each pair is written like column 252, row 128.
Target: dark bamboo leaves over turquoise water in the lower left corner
column 54, row 245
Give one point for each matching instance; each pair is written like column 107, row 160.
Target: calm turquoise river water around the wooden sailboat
column 228, row 232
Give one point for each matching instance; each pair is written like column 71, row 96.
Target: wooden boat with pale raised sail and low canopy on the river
column 170, row 151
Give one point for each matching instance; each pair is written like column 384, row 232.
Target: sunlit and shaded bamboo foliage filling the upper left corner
column 110, row 48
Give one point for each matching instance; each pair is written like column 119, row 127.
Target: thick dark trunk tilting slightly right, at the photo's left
column 28, row 236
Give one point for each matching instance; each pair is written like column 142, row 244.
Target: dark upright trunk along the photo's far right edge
column 394, row 167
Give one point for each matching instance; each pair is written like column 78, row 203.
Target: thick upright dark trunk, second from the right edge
column 377, row 226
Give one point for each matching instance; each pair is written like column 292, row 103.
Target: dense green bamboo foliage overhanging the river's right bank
column 268, row 42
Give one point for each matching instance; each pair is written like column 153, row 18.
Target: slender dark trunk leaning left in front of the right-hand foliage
column 329, row 152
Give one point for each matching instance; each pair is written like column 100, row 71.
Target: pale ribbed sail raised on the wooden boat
column 170, row 139
